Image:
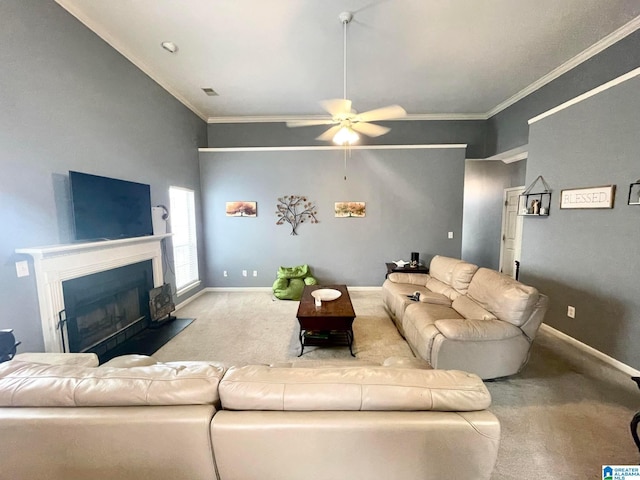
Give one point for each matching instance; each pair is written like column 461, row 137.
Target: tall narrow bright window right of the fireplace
column 185, row 242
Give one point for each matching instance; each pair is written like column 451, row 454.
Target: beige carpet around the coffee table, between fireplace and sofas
column 239, row 328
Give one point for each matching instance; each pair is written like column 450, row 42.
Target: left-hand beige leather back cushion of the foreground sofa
column 24, row 384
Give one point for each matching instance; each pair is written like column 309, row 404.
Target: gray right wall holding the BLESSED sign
column 589, row 258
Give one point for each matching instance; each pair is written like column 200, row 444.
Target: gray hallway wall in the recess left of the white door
column 484, row 184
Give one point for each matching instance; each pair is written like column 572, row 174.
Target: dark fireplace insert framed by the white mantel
column 105, row 309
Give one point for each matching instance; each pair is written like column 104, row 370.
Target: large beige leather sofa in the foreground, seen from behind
column 199, row 420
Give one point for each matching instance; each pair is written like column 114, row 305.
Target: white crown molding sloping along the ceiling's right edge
column 583, row 56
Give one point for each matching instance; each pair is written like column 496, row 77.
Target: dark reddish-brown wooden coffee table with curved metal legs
column 331, row 324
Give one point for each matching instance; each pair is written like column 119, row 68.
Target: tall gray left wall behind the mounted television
column 71, row 102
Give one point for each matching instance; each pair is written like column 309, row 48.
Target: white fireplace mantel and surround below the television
column 57, row 263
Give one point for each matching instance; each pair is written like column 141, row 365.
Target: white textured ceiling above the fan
column 457, row 58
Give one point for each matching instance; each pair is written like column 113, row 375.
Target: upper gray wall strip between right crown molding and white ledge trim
column 509, row 129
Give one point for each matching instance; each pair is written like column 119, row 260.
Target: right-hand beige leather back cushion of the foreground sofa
column 259, row 387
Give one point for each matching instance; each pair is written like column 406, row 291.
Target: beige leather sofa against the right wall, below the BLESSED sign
column 467, row 318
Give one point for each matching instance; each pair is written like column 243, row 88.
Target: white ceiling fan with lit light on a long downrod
column 347, row 123
